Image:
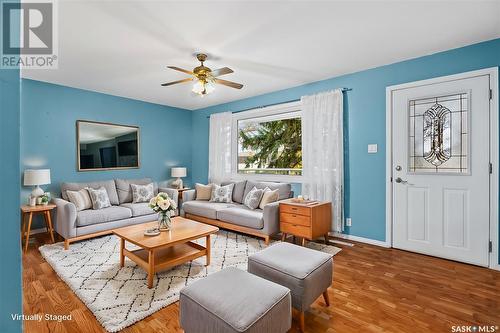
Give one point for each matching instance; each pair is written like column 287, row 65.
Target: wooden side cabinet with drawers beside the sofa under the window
column 308, row 221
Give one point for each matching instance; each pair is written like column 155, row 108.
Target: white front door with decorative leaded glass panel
column 441, row 169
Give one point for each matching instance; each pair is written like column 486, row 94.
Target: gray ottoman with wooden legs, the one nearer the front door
column 307, row 273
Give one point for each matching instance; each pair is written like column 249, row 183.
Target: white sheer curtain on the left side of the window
column 219, row 160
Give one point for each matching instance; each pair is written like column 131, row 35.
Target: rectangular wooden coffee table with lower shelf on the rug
column 169, row 248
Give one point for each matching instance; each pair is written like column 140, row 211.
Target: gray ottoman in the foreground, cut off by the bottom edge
column 233, row 300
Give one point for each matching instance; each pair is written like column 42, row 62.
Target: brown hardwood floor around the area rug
column 374, row 290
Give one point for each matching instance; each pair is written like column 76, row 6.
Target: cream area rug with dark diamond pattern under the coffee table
column 119, row 297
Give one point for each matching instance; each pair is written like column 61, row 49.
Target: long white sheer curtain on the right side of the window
column 322, row 151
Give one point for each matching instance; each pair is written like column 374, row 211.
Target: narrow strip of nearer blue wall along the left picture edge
column 10, row 247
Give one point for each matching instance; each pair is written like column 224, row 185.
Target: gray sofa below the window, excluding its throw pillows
column 236, row 216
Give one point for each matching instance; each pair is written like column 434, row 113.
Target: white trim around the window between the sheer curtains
column 273, row 112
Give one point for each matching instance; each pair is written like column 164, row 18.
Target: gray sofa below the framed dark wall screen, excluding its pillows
column 75, row 226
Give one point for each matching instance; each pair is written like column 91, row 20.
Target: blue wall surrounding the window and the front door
column 365, row 123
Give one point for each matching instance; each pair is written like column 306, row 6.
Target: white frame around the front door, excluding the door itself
column 494, row 158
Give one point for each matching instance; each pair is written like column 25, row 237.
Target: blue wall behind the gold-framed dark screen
column 48, row 132
